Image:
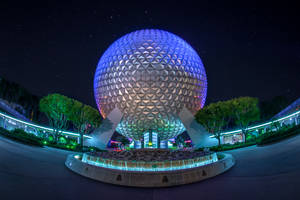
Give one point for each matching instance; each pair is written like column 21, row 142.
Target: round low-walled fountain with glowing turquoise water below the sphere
column 150, row 167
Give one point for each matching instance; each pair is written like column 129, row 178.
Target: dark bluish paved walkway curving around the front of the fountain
column 270, row 172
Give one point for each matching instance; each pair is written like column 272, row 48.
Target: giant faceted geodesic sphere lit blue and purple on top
column 150, row 75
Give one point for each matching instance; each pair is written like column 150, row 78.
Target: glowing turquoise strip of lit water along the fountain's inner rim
column 111, row 164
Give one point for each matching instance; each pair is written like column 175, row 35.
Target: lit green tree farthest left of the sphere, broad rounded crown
column 57, row 109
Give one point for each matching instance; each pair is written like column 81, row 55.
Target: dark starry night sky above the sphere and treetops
column 248, row 49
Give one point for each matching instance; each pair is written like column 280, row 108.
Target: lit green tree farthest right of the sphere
column 245, row 111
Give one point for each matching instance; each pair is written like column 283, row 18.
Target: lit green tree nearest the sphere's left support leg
column 84, row 118
